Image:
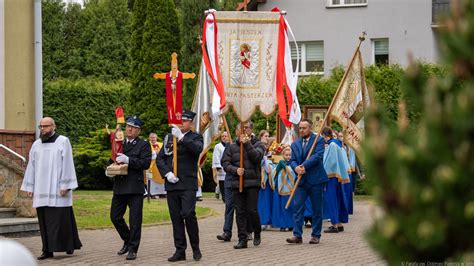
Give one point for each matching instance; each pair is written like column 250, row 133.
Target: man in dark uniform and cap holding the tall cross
column 181, row 189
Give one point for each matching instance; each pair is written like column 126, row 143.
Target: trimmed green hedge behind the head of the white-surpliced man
column 84, row 105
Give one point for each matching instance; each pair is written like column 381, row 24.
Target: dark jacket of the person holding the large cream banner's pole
column 253, row 155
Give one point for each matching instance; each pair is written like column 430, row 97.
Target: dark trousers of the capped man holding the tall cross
column 182, row 208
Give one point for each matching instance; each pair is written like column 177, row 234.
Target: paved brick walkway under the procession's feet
column 349, row 247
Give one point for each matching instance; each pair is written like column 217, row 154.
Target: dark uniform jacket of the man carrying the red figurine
column 139, row 156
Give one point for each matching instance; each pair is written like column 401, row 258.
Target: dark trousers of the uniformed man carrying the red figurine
column 130, row 235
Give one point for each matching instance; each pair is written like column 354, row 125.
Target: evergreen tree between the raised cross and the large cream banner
column 192, row 18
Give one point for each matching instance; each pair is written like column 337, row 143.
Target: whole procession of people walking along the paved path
column 254, row 180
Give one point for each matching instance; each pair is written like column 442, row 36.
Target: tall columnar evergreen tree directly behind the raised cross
column 160, row 38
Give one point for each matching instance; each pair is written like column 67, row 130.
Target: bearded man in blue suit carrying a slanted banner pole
column 312, row 182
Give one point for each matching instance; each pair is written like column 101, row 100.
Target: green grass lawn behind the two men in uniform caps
column 92, row 209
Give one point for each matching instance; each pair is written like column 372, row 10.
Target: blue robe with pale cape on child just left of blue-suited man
column 284, row 179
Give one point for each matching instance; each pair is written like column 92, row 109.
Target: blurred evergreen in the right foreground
column 423, row 171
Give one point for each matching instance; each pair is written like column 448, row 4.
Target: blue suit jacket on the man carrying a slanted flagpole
column 315, row 173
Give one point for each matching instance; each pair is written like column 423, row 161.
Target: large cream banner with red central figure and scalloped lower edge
column 247, row 49
